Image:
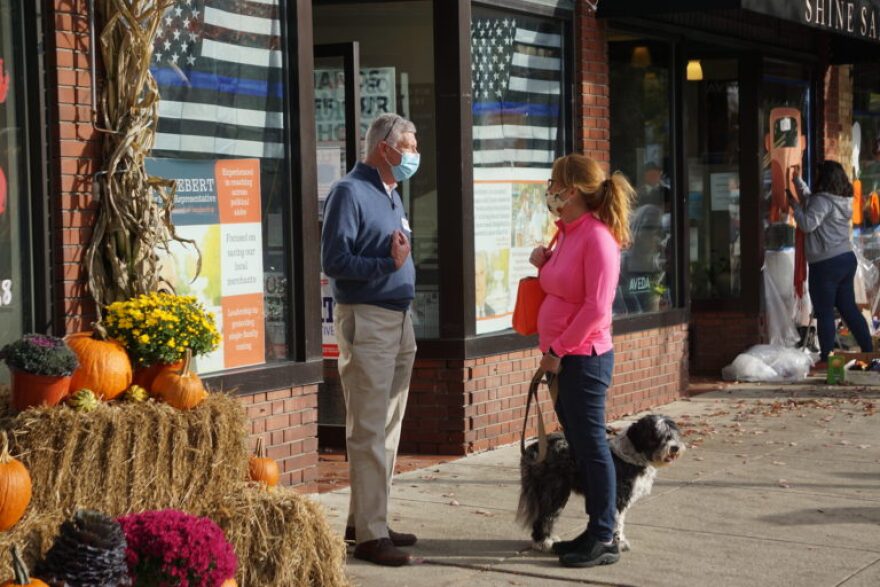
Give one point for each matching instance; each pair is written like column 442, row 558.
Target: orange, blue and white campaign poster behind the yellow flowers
column 217, row 205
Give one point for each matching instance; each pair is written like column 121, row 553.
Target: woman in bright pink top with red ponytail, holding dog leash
column 580, row 277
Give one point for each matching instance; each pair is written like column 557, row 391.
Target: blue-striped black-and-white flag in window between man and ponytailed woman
column 516, row 81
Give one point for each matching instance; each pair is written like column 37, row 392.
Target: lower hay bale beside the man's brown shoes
column 281, row 538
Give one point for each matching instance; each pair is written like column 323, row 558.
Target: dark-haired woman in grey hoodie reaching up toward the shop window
column 826, row 217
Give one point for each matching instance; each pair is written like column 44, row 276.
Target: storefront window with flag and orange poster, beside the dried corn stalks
column 221, row 135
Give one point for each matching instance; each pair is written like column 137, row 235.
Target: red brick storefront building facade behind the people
column 682, row 100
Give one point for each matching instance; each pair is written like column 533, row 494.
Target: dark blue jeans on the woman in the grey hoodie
column 831, row 286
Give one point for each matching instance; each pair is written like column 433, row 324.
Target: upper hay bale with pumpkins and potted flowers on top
column 131, row 457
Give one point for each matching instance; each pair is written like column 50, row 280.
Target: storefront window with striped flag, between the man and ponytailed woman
column 520, row 117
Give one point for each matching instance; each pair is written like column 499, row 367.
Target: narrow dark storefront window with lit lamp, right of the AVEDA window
column 712, row 158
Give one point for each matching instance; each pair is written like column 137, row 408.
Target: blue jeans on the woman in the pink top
column 580, row 407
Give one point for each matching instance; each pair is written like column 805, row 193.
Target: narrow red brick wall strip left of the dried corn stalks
column 73, row 160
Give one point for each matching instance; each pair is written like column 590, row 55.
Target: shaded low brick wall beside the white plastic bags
column 716, row 338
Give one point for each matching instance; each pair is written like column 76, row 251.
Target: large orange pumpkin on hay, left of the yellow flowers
column 104, row 366
